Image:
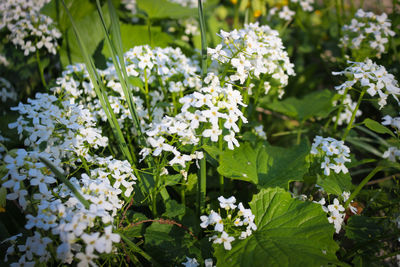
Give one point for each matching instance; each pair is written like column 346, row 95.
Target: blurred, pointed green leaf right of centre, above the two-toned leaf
column 315, row 104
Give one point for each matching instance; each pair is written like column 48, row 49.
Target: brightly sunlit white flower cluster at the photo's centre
column 211, row 112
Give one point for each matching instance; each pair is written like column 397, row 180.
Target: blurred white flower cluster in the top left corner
column 29, row 29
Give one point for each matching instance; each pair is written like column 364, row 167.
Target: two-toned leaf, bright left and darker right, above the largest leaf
column 265, row 165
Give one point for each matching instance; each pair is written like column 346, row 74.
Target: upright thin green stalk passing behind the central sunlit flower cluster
column 202, row 184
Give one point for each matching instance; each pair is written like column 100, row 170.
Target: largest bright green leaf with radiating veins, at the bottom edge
column 290, row 233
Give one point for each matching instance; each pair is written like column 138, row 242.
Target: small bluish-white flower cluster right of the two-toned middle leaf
column 334, row 152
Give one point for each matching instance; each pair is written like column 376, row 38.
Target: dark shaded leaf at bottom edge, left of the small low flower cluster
column 170, row 244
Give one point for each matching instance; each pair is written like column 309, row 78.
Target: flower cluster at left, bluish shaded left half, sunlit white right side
column 64, row 128
